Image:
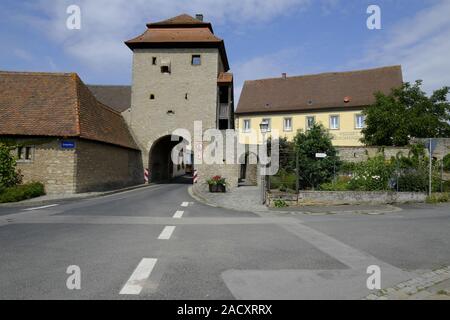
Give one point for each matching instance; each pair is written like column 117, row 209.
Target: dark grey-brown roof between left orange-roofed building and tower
column 116, row 97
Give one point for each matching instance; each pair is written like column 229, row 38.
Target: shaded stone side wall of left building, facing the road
column 104, row 167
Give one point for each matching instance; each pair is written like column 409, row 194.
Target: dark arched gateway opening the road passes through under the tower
column 162, row 168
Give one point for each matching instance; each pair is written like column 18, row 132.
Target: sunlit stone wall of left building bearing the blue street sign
column 51, row 165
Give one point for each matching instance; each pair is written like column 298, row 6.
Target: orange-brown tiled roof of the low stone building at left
column 60, row 105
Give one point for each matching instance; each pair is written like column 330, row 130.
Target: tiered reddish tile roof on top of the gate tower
column 182, row 31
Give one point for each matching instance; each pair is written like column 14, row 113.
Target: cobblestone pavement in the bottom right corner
column 432, row 285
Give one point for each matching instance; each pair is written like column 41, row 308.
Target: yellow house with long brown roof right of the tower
column 289, row 104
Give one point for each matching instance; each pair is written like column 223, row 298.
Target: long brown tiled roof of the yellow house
column 318, row 92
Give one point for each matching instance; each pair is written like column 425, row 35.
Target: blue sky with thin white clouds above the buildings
column 263, row 38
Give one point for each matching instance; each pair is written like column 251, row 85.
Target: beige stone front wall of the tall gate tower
column 189, row 92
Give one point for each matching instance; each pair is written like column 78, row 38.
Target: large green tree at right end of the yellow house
column 405, row 113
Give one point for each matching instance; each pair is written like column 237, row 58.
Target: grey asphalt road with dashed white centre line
column 159, row 243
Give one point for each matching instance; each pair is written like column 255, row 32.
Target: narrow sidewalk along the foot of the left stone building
column 76, row 196
